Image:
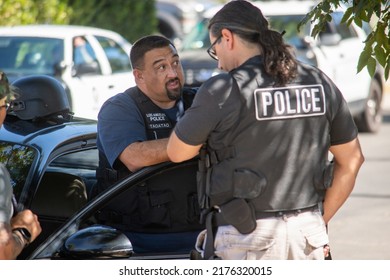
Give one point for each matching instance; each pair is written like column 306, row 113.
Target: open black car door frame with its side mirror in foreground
column 81, row 237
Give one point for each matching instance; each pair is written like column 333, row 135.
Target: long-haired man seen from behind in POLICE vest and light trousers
column 264, row 131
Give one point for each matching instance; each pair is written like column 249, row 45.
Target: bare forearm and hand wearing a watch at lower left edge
column 11, row 241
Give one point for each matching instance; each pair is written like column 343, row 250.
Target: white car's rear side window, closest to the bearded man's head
column 118, row 58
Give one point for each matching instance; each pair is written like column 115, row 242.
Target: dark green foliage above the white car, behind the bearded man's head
column 130, row 18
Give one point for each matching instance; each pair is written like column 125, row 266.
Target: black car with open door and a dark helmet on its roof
column 52, row 159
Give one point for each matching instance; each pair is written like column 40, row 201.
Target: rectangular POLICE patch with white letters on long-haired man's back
column 289, row 102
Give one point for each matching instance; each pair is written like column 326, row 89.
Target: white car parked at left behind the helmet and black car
column 92, row 64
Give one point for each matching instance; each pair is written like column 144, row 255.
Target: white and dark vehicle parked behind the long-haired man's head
column 336, row 51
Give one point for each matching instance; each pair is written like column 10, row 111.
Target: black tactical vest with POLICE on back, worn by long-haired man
column 240, row 170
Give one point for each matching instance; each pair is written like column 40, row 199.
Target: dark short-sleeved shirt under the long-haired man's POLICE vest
column 215, row 109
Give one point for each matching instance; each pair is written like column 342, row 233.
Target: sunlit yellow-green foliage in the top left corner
column 15, row 12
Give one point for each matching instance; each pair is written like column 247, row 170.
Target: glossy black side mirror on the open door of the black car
column 97, row 242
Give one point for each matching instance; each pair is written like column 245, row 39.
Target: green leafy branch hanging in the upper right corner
column 374, row 12
